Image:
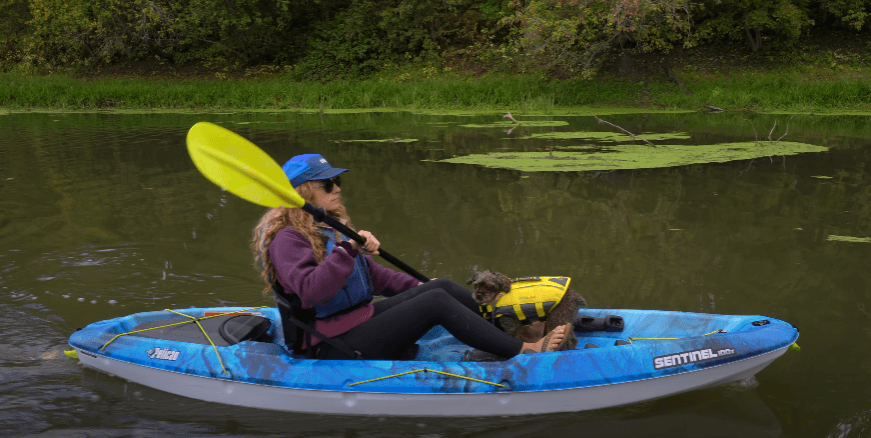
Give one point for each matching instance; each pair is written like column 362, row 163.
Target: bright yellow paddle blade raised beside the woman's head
column 240, row 167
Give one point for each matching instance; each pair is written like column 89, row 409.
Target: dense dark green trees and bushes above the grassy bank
column 331, row 39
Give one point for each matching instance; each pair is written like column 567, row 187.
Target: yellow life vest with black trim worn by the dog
column 529, row 300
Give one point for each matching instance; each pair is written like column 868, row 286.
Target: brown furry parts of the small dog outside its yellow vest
column 489, row 284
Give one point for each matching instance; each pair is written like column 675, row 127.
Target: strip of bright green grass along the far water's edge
column 750, row 91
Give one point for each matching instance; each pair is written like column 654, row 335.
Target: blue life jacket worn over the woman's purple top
column 358, row 290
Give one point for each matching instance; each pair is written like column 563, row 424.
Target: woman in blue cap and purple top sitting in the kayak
column 337, row 278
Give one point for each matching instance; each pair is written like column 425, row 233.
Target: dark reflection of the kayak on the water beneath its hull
column 727, row 411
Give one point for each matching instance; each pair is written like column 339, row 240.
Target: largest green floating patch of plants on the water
column 633, row 156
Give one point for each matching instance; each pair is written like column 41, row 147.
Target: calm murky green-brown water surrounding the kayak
column 103, row 215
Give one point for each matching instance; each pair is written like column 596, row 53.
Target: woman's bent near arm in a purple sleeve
column 299, row 272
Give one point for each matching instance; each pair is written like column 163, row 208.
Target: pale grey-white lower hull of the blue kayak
column 405, row 404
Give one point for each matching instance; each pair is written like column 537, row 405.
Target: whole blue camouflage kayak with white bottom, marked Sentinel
column 237, row 356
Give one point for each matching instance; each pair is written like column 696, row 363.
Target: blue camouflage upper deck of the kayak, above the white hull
column 702, row 339
